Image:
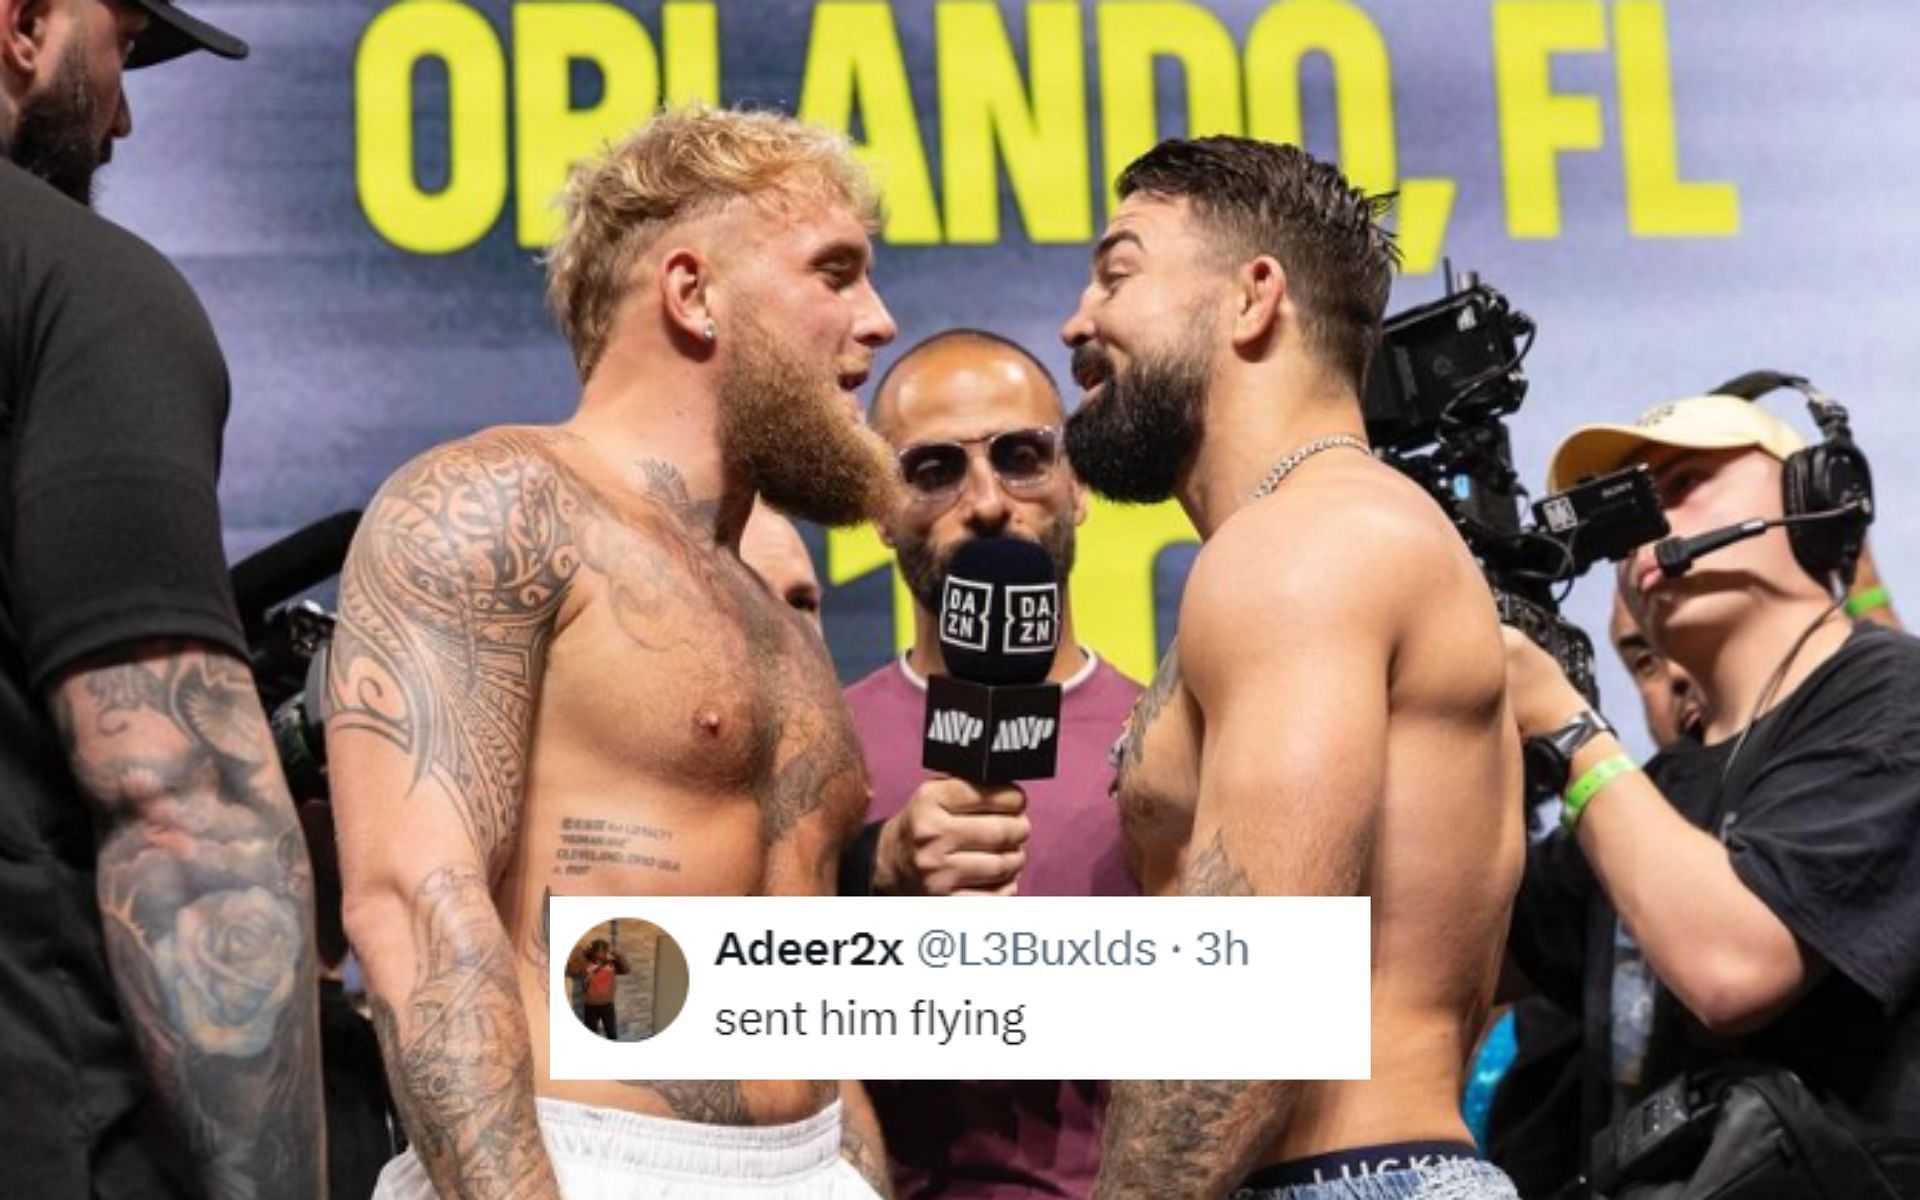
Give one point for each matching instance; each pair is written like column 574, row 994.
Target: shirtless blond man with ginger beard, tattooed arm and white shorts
column 556, row 677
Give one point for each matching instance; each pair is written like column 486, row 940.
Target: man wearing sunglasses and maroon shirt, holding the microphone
column 976, row 423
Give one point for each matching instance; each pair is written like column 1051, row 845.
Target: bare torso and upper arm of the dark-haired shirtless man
column 1335, row 723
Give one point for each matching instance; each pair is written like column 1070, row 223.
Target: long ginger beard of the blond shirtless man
column 786, row 427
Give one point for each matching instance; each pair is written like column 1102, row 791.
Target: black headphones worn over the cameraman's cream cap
column 1825, row 479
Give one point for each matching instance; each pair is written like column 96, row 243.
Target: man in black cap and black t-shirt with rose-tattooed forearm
column 156, row 936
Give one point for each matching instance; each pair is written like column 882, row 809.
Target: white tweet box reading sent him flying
column 1030, row 988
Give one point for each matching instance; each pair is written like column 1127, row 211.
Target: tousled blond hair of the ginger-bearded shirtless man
column 684, row 164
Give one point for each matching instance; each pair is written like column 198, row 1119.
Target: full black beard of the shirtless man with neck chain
column 1134, row 443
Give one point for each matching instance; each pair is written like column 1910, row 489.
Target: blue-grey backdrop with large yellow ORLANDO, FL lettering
column 1675, row 193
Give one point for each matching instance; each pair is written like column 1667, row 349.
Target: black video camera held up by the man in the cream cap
column 1439, row 389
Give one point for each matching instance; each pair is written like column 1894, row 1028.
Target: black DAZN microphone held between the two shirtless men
column 996, row 719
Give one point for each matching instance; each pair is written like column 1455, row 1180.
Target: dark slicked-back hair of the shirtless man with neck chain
column 1280, row 201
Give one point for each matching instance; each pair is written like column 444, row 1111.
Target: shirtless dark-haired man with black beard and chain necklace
column 1333, row 719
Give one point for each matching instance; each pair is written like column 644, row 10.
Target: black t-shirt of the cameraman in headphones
column 1821, row 817
